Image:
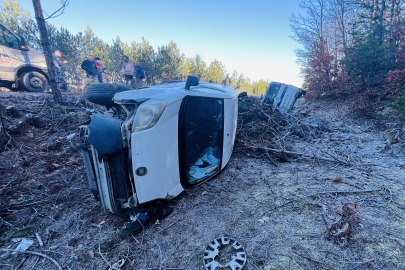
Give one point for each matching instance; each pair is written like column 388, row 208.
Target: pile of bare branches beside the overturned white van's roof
column 270, row 132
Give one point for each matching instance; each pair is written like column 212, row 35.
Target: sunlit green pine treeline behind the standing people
column 160, row 65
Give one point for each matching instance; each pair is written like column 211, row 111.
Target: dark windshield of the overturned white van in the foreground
column 201, row 130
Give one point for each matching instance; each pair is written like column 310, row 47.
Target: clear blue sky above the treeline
column 251, row 37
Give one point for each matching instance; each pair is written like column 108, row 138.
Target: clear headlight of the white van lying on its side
column 148, row 114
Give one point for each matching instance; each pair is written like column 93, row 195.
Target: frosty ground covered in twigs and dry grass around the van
column 288, row 211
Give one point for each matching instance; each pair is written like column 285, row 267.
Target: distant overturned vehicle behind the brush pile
column 282, row 95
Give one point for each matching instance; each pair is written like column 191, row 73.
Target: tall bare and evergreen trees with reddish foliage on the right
column 354, row 49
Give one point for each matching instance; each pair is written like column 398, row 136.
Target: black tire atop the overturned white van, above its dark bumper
column 103, row 93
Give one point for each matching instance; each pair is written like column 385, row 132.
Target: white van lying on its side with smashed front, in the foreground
column 155, row 142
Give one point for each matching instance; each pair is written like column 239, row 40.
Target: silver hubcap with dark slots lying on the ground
column 212, row 254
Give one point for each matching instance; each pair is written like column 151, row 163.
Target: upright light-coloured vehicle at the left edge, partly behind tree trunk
column 22, row 66
